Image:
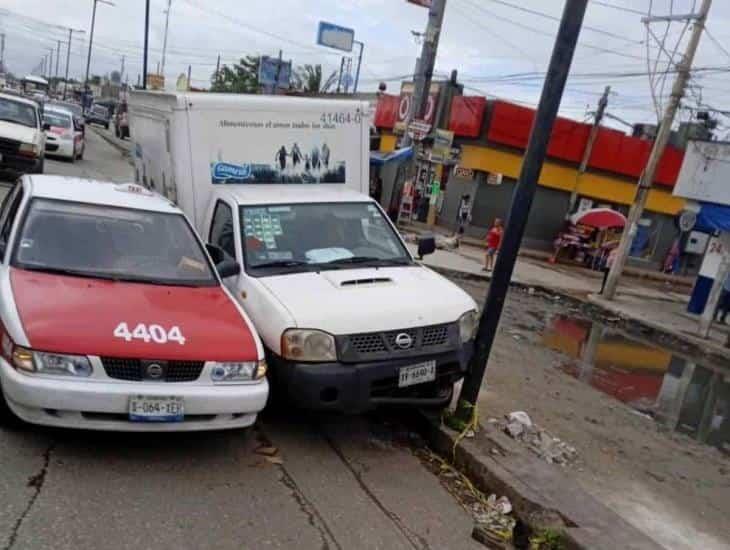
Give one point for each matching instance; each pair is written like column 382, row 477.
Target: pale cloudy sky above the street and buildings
column 500, row 48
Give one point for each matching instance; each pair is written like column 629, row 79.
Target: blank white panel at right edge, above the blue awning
column 705, row 173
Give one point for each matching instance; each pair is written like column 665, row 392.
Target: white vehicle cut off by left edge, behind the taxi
column 22, row 139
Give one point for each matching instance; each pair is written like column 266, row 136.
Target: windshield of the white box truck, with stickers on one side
column 306, row 237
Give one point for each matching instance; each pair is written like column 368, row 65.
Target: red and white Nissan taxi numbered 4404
column 113, row 315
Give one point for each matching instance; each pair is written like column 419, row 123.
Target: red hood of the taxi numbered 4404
column 79, row 315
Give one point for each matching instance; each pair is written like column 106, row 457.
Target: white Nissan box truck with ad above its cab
column 349, row 320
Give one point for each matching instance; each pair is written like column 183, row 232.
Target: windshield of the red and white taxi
column 111, row 243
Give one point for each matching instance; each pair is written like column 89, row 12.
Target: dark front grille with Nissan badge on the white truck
column 372, row 346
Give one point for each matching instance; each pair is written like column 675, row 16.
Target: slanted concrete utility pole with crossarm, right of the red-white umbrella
column 662, row 138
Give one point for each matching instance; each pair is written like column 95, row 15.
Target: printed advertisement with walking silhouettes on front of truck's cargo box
column 276, row 147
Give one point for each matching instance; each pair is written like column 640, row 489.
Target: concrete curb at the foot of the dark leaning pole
column 542, row 495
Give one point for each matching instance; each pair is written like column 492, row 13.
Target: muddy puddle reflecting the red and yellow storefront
column 679, row 394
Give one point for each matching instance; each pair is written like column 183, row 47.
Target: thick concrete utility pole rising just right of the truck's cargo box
column 422, row 83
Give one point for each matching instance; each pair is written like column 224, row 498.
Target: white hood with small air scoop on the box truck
column 368, row 300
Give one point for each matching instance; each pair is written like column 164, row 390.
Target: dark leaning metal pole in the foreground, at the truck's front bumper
column 547, row 112
